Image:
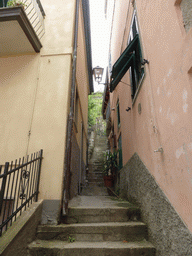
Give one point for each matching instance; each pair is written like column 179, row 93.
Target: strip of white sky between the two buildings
column 99, row 37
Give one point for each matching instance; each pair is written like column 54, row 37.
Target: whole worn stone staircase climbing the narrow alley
column 97, row 224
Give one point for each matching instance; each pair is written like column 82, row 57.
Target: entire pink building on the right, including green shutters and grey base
column 150, row 120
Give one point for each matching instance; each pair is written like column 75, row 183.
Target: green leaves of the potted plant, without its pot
column 110, row 165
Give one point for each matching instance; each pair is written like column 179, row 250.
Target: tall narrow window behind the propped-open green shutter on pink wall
column 136, row 70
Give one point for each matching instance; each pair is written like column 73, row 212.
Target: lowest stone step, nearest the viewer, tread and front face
column 123, row 248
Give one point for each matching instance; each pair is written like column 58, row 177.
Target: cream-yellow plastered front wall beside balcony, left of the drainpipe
column 34, row 91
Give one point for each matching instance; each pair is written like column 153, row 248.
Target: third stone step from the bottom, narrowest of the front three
column 96, row 215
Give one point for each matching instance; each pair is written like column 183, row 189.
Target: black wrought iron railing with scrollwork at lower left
column 19, row 182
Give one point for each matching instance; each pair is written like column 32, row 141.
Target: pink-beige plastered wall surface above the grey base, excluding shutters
column 165, row 120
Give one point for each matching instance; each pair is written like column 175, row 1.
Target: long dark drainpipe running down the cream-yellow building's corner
column 67, row 163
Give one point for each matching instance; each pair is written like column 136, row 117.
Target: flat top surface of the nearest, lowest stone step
column 107, row 244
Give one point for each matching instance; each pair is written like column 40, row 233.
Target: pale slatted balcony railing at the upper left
column 34, row 12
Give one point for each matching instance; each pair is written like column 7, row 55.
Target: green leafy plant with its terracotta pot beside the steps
column 109, row 168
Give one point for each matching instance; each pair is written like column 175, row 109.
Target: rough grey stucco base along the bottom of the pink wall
column 167, row 231
